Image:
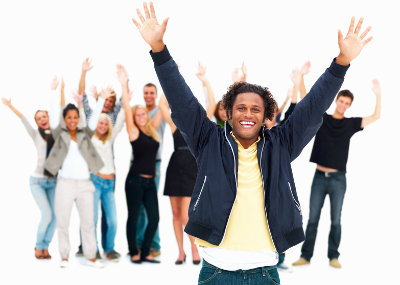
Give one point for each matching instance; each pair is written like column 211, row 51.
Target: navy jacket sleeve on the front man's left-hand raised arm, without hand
column 186, row 112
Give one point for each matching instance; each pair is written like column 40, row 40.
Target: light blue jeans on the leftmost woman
column 43, row 191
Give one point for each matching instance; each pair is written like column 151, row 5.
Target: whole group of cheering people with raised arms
column 232, row 158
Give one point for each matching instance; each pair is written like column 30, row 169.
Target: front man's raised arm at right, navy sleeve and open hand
column 306, row 119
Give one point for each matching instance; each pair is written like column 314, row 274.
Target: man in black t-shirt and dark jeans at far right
column 330, row 153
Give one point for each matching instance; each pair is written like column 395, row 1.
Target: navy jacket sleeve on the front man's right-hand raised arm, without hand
column 304, row 122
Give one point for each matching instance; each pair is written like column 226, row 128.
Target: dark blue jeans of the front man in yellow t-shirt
column 210, row 274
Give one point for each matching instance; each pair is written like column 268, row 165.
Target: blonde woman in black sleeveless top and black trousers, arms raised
column 140, row 186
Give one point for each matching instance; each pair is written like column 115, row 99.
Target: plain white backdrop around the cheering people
column 41, row 39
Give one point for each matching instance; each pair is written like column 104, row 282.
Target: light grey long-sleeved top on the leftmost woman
column 41, row 146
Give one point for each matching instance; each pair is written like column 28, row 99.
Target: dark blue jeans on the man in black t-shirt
column 334, row 185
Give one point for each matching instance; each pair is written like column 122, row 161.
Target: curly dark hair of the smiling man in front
column 244, row 87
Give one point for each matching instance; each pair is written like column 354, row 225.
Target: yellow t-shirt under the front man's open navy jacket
column 247, row 227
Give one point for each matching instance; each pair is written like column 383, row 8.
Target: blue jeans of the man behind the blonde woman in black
column 142, row 221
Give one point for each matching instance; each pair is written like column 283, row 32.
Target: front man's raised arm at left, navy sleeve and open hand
column 187, row 113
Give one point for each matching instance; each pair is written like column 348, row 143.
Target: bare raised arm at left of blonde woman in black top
column 133, row 131
